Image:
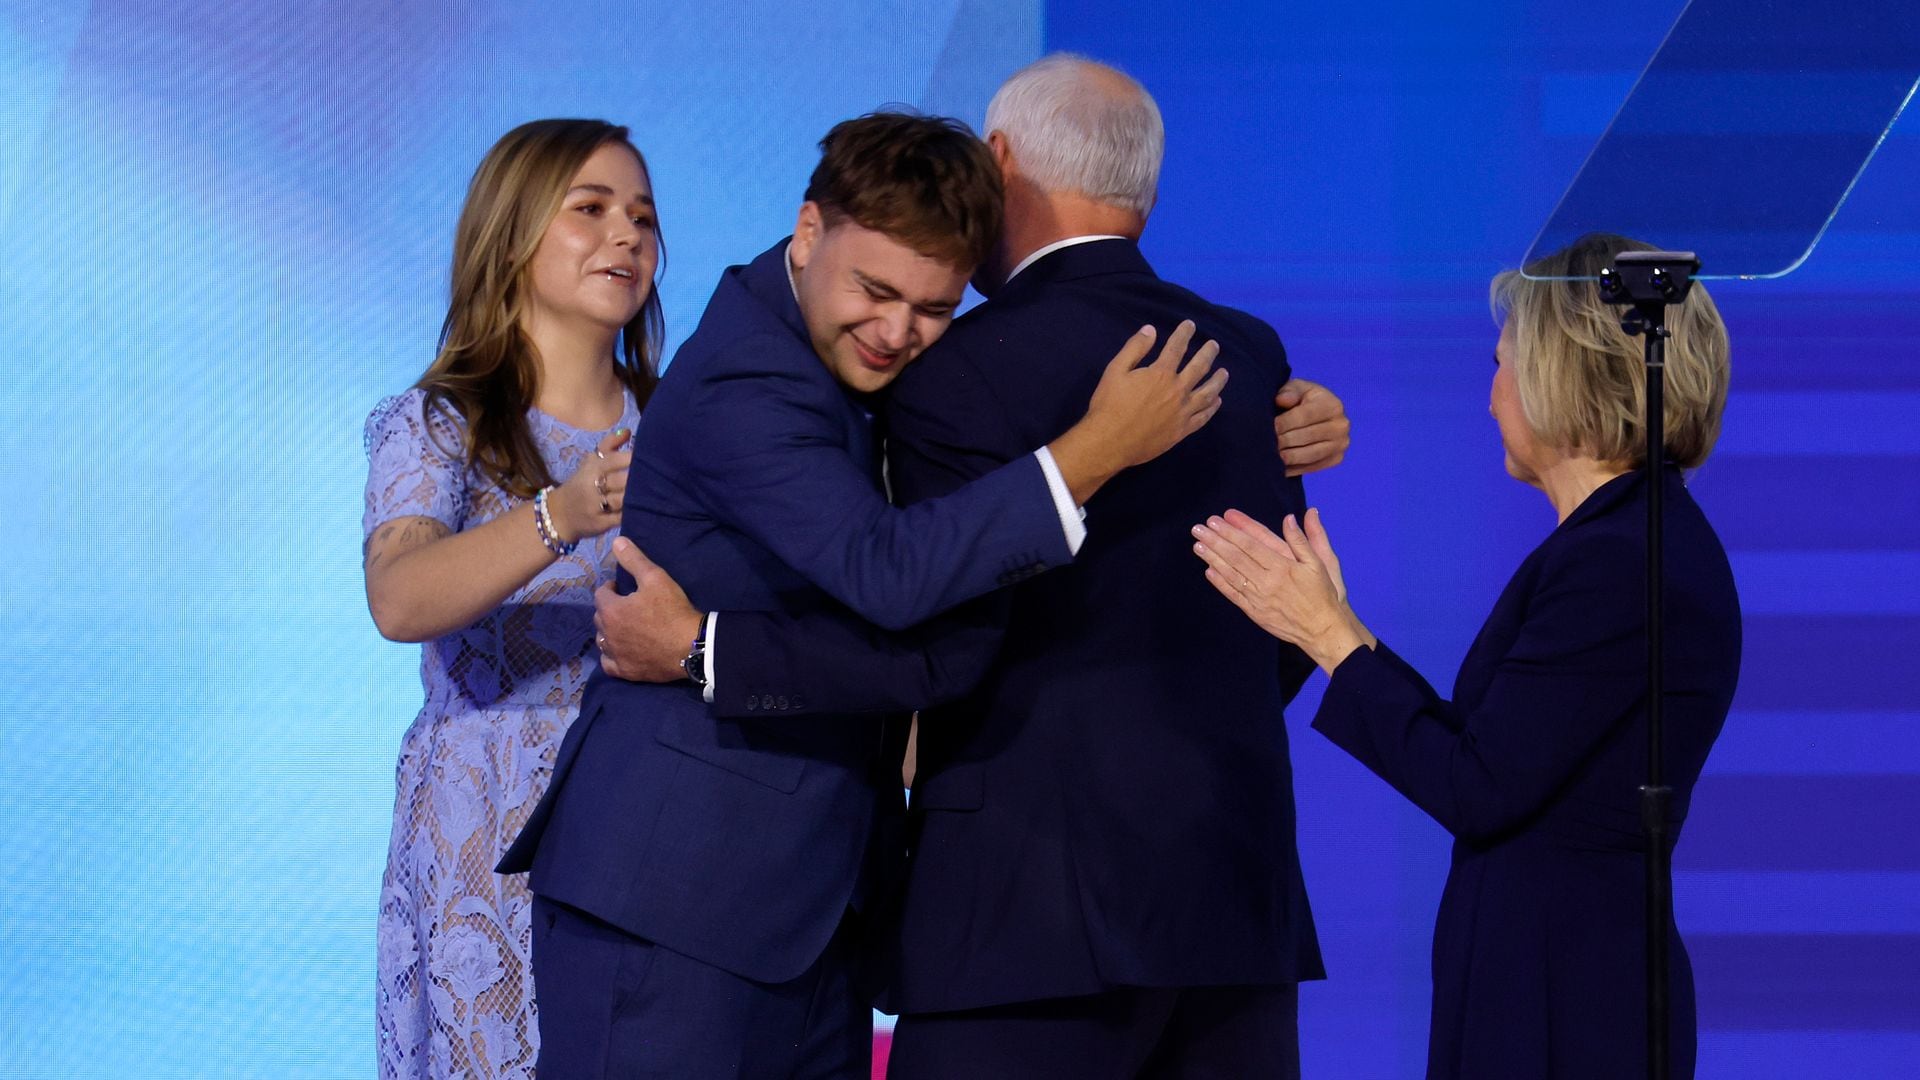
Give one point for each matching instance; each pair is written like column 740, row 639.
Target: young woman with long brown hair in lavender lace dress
column 492, row 493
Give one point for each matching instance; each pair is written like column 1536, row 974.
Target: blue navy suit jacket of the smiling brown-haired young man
column 756, row 485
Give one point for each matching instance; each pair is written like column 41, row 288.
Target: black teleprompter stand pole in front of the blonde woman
column 1650, row 283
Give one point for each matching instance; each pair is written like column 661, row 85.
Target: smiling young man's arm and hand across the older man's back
column 784, row 466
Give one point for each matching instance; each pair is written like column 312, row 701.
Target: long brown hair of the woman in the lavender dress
column 487, row 372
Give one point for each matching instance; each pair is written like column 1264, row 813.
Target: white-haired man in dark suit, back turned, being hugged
column 1103, row 875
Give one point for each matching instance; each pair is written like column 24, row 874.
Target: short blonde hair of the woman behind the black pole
column 1583, row 380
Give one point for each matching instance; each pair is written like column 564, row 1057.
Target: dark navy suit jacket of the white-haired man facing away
column 1113, row 802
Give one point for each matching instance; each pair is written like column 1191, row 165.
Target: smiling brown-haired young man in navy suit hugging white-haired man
column 698, row 883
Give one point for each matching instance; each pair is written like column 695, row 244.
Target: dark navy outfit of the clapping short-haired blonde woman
column 1535, row 768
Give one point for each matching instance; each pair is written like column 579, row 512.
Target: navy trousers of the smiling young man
column 621, row 1008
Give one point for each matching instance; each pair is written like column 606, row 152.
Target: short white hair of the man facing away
column 1078, row 126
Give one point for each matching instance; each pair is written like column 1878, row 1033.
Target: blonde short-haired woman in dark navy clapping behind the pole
column 1537, row 760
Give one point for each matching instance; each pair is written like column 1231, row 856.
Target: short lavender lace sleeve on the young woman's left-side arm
column 414, row 466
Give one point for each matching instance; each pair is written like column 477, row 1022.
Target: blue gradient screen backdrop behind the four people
column 226, row 237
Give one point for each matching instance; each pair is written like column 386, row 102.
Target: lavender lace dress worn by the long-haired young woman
column 456, row 993
